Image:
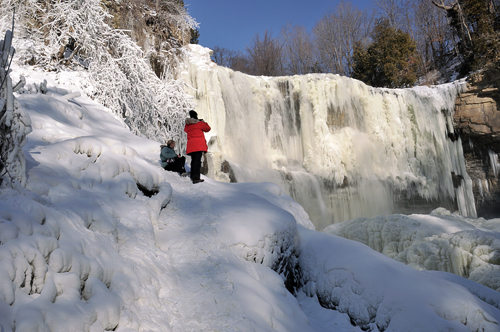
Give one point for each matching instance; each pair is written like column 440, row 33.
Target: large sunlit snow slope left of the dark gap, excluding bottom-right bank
column 90, row 251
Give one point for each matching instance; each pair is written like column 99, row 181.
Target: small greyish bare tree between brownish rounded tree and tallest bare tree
column 298, row 49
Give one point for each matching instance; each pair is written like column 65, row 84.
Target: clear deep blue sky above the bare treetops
column 233, row 23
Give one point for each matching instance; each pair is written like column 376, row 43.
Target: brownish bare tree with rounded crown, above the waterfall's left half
column 265, row 56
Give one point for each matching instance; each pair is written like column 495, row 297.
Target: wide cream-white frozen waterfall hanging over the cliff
column 340, row 148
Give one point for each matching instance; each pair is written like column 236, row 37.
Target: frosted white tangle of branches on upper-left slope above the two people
column 77, row 33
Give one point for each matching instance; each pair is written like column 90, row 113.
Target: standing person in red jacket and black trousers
column 196, row 145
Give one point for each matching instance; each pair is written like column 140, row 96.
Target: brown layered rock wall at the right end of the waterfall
column 477, row 122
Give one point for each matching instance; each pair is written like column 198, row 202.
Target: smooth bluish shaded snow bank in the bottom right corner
column 380, row 294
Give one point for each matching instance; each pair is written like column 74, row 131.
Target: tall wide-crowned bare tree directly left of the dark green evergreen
column 335, row 35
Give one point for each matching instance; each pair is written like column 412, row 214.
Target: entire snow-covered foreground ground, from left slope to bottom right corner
column 102, row 238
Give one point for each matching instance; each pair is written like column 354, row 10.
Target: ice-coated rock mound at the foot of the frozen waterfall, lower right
column 466, row 247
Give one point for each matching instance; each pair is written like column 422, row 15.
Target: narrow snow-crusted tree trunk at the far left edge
column 14, row 123
